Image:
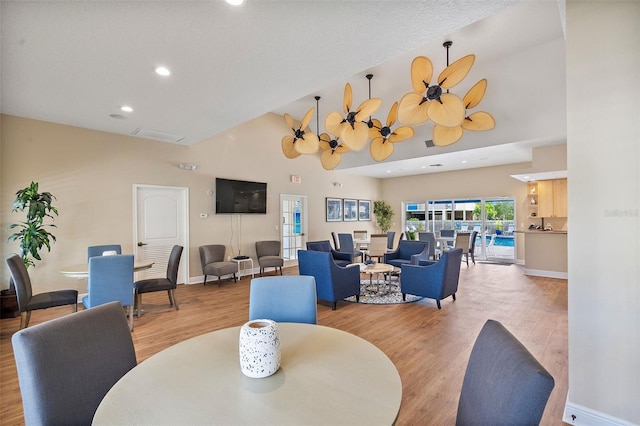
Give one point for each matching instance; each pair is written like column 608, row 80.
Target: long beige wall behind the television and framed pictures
column 91, row 174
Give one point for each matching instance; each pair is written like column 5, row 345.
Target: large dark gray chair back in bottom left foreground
column 67, row 365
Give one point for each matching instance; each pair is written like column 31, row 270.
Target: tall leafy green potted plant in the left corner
column 32, row 234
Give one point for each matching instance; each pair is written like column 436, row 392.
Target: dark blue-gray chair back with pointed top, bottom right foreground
column 503, row 383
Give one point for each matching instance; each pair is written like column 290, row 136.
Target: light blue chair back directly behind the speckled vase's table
column 283, row 299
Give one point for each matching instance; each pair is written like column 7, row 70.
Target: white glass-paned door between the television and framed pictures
column 294, row 224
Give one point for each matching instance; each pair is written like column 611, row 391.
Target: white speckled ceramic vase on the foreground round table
column 259, row 348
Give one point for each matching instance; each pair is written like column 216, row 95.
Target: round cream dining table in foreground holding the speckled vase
column 326, row 377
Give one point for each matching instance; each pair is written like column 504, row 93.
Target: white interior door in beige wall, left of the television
column 161, row 221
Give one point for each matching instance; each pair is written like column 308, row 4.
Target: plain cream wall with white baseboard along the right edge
column 603, row 144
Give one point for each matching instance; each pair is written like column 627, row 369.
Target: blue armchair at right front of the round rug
column 434, row 280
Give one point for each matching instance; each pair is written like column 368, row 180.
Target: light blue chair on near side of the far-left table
column 111, row 280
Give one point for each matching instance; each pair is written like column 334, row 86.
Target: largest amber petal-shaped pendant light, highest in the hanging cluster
column 428, row 102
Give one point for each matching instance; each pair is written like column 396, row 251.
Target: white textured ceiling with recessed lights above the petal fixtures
column 76, row 62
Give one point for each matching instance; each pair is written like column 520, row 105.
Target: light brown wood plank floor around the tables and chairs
column 430, row 347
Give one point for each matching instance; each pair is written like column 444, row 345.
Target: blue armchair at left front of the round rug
column 333, row 282
